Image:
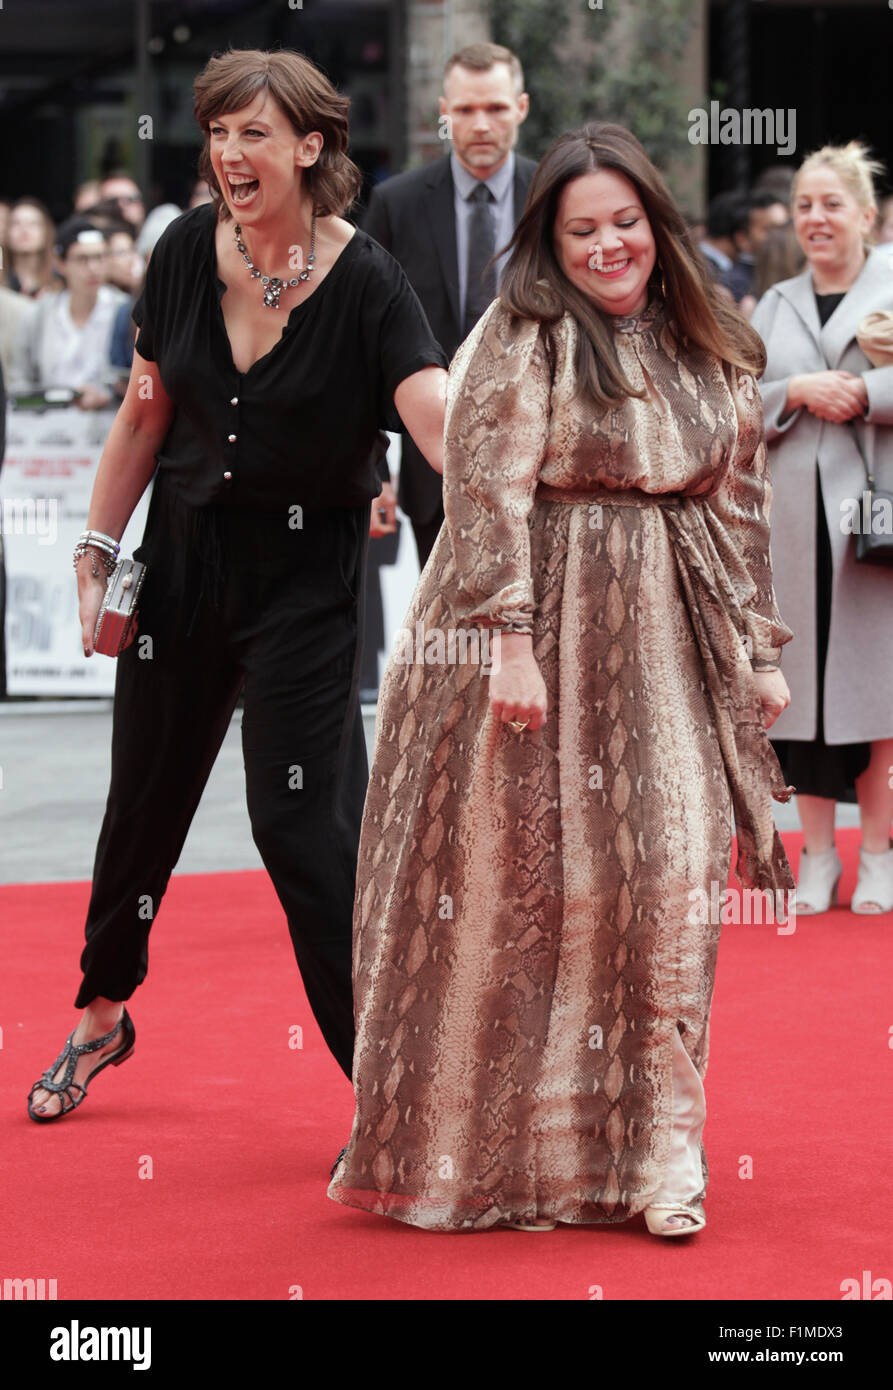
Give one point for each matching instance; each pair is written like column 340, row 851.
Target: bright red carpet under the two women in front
column 241, row 1129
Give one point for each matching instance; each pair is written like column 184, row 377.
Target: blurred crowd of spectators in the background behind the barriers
column 67, row 291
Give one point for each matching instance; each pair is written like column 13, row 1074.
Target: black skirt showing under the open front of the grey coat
column 813, row 767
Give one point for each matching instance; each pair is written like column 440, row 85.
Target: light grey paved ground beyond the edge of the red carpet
column 55, row 778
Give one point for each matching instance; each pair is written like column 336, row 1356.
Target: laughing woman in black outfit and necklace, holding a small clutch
column 255, row 541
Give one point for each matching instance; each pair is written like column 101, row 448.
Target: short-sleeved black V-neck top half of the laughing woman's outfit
column 303, row 426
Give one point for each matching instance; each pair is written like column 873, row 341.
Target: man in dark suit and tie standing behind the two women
column 444, row 222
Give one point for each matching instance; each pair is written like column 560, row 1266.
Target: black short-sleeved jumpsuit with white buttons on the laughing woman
column 255, row 547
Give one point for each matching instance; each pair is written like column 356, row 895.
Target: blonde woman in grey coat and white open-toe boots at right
column 821, row 393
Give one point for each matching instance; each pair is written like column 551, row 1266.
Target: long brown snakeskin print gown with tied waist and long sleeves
column 525, row 942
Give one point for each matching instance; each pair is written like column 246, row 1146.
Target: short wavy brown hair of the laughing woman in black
column 234, row 80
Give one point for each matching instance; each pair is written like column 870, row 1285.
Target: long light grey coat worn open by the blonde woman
column 859, row 671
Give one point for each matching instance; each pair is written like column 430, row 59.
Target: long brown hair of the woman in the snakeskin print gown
column 698, row 312
